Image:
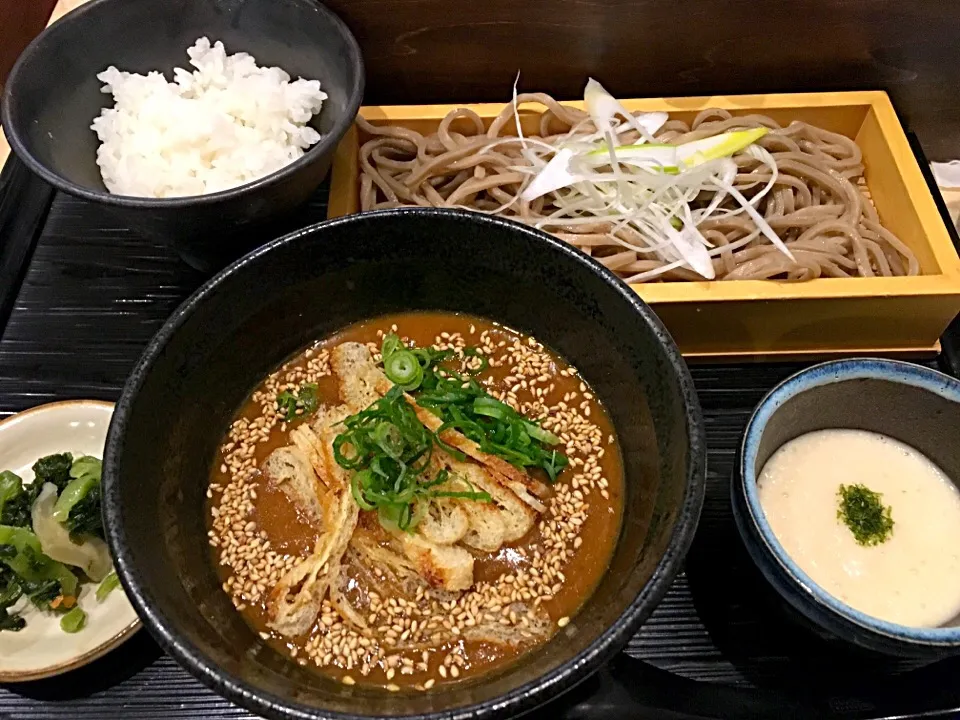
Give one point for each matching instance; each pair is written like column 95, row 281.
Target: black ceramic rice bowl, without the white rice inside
column 53, row 95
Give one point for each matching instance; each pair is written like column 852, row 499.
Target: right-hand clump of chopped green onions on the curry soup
column 464, row 405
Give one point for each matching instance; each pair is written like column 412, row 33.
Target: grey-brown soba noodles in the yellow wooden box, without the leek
column 817, row 205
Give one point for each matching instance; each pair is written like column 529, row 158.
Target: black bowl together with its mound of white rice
column 195, row 121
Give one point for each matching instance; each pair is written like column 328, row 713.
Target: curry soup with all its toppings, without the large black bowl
column 491, row 559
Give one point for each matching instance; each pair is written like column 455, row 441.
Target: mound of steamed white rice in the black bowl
column 225, row 124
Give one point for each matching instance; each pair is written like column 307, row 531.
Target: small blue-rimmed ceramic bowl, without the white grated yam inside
column 910, row 403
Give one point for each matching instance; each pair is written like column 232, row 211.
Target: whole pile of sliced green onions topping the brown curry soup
column 390, row 450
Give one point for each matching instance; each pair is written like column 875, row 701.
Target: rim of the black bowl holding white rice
column 327, row 142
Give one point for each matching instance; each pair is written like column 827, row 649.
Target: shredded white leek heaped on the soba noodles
column 648, row 190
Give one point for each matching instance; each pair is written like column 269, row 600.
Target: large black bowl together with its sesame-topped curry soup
column 223, row 552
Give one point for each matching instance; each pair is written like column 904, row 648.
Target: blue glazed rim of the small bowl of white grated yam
column 759, row 534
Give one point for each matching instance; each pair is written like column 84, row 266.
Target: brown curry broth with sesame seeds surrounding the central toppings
column 256, row 533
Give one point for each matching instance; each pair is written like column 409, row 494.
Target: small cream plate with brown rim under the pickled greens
column 42, row 649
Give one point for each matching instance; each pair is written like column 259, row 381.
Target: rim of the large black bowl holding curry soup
column 519, row 700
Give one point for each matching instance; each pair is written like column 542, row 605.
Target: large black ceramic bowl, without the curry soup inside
column 219, row 344
